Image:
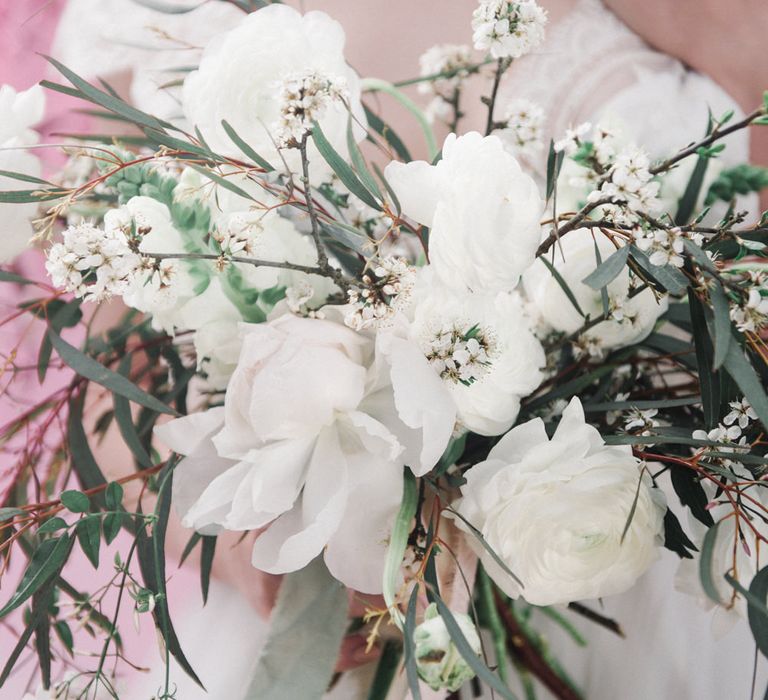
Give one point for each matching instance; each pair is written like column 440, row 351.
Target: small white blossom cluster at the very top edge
column 508, row 29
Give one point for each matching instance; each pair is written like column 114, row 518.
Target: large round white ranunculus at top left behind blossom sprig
column 240, row 75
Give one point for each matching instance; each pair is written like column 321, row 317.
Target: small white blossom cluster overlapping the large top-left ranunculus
column 304, row 98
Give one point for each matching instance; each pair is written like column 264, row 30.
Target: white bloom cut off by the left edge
column 19, row 112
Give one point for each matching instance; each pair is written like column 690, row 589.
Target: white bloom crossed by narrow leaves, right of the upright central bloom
column 633, row 317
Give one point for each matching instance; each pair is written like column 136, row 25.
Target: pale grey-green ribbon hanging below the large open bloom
column 306, row 630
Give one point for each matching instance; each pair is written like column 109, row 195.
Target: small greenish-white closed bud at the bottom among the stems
column 439, row 662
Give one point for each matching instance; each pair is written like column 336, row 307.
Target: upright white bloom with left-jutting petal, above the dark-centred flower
column 482, row 209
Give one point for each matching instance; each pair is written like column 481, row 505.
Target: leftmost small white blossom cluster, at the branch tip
column 93, row 263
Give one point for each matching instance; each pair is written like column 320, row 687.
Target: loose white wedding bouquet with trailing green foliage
column 446, row 381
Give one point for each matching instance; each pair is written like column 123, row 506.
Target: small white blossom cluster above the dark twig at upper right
column 630, row 182
